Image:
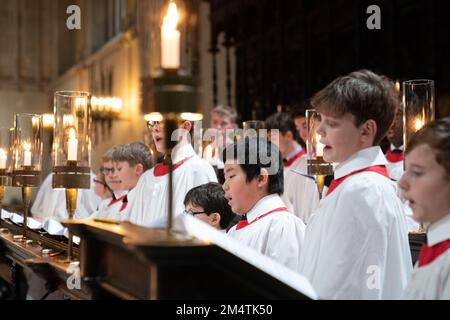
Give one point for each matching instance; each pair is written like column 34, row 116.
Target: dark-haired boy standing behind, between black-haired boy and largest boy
column 300, row 193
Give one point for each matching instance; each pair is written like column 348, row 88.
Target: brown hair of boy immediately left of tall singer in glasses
column 134, row 153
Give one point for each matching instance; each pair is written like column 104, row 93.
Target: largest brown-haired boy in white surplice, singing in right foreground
column 356, row 242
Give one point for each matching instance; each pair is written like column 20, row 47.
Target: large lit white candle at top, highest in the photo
column 170, row 39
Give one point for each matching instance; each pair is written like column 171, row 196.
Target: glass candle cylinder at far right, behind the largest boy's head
column 418, row 106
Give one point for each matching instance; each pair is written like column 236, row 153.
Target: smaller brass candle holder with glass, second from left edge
column 27, row 154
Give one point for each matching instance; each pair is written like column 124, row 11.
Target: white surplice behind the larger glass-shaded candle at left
column 51, row 203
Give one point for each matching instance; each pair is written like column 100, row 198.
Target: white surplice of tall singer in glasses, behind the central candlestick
column 147, row 204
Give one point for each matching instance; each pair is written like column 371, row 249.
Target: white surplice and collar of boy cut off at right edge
column 432, row 281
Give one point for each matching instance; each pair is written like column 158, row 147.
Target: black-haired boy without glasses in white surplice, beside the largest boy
column 253, row 184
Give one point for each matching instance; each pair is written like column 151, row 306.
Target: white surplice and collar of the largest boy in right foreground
column 356, row 243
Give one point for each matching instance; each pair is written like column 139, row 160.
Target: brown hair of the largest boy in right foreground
column 363, row 94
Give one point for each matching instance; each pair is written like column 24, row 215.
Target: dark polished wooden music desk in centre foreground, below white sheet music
column 132, row 262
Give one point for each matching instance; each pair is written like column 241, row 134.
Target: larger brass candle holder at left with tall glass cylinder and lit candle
column 71, row 149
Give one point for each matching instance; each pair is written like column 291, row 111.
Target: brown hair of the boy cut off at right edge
column 437, row 135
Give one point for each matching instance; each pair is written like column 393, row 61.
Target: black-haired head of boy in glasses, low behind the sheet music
column 207, row 202
